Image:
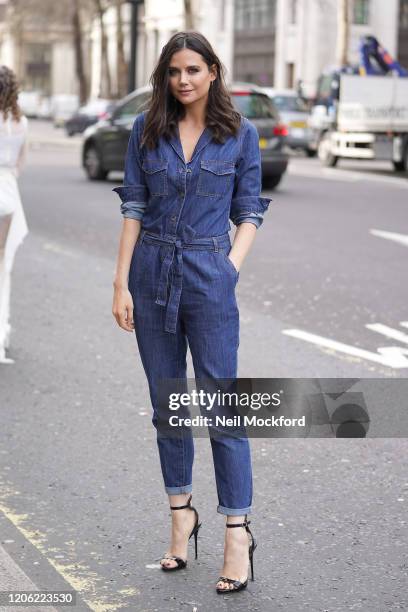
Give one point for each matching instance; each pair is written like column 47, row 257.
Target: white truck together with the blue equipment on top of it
column 361, row 112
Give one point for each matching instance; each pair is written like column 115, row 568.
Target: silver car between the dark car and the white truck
column 295, row 114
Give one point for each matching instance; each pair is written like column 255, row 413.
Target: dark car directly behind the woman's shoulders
column 105, row 144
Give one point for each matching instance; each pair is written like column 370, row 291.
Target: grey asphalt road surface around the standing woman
column 82, row 505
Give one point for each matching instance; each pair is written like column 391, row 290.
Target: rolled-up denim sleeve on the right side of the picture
column 246, row 204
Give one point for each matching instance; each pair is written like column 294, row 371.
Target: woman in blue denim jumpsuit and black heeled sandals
column 192, row 163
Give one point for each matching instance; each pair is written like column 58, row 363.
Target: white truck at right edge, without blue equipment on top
column 368, row 120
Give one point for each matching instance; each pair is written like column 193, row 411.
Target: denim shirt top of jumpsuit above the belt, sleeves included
column 224, row 180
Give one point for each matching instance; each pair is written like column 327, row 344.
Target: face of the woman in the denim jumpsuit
column 189, row 76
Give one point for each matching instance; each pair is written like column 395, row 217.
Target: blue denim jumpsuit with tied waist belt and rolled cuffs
column 183, row 283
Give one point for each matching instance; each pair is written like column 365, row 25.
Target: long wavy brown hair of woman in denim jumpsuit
column 165, row 111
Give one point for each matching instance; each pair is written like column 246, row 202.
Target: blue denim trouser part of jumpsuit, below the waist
column 208, row 321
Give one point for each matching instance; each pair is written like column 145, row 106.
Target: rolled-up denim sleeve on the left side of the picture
column 133, row 193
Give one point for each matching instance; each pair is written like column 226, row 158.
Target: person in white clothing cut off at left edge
column 13, row 226
